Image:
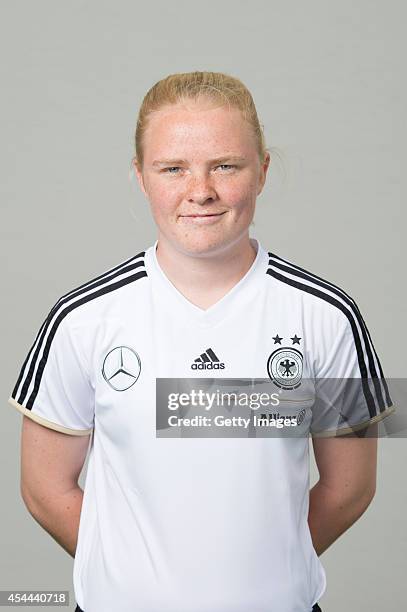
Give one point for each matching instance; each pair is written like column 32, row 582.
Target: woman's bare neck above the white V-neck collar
column 205, row 280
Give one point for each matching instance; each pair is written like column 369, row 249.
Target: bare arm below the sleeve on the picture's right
column 347, row 485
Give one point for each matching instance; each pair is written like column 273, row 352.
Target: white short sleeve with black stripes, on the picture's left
column 53, row 387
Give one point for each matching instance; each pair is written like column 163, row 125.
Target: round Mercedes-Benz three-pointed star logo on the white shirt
column 121, row 368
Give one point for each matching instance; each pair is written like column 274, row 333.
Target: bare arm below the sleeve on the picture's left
column 51, row 463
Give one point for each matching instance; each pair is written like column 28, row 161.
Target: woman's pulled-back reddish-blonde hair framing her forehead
column 216, row 86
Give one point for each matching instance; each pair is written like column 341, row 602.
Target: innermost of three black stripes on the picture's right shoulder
column 359, row 351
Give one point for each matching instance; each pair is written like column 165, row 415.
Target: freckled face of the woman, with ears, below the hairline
column 201, row 175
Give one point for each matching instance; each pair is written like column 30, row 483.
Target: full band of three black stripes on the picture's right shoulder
column 351, row 312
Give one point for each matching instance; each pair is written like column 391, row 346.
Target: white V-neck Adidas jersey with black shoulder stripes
column 184, row 523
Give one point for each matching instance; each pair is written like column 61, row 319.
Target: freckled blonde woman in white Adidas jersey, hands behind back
column 191, row 522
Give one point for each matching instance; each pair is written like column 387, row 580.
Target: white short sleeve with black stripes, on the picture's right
column 351, row 391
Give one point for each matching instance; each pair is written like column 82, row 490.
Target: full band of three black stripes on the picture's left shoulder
column 80, row 295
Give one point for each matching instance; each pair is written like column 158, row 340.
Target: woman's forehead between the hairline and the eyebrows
column 192, row 124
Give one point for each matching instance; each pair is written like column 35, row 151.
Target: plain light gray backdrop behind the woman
column 328, row 79
